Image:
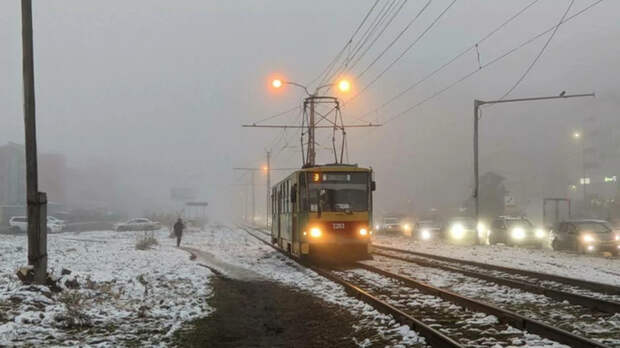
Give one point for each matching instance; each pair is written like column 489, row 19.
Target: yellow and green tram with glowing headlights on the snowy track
column 324, row 211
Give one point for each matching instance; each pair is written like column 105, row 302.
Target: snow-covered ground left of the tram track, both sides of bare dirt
column 116, row 295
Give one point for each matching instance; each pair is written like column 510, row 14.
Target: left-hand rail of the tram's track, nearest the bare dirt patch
column 432, row 336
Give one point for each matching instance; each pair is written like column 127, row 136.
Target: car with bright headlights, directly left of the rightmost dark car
column 516, row 231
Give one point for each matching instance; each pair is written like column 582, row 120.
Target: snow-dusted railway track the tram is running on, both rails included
column 447, row 318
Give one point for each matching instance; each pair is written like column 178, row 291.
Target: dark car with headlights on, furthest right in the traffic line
column 586, row 236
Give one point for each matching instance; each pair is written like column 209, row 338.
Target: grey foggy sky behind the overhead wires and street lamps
column 145, row 96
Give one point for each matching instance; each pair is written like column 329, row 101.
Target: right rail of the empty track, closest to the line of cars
column 595, row 286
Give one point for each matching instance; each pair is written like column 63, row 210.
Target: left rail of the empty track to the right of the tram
column 585, row 301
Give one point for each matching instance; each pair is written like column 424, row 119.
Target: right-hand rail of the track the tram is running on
column 508, row 317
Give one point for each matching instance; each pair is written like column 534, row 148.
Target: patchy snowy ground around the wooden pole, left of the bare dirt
column 115, row 295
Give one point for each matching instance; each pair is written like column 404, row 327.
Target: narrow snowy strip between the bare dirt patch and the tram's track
column 237, row 254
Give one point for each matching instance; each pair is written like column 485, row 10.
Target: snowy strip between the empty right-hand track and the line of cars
column 588, row 267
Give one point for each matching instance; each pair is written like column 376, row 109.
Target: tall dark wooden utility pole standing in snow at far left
column 37, row 201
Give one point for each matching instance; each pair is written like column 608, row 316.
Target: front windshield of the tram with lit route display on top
column 338, row 192
